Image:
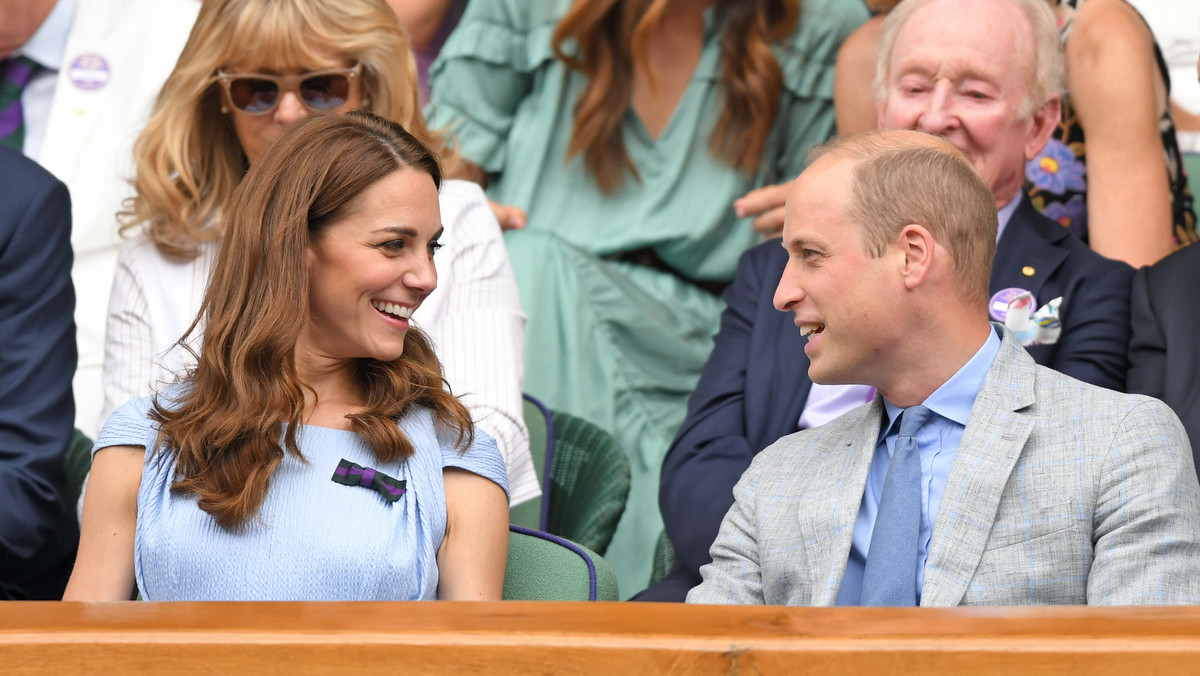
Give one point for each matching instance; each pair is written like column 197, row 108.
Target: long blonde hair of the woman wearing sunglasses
column 189, row 159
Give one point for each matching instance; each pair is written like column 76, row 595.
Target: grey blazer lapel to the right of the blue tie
column 992, row 445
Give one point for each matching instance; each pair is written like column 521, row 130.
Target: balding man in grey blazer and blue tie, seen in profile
column 1021, row 487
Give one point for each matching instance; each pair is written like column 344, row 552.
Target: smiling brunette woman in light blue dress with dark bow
column 314, row 454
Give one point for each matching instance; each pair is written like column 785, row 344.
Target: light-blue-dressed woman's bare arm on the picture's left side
column 104, row 569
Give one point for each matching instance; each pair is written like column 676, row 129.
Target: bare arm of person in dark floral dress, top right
column 1119, row 95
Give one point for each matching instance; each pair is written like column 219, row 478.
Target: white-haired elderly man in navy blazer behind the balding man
column 985, row 75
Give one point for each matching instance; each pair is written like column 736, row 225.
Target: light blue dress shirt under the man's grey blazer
column 939, row 445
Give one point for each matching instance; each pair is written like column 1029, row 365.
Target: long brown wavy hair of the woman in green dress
column 614, row 39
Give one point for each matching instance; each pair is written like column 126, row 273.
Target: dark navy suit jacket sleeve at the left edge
column 38, row 358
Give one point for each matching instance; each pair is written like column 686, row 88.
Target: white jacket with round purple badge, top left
column 83, row 131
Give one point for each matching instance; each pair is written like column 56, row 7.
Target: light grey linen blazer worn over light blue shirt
column 1061, row 493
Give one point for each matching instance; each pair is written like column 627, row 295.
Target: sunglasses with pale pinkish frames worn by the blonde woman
column 321, row 92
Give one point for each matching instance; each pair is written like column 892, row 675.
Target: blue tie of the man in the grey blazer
column 891, row 573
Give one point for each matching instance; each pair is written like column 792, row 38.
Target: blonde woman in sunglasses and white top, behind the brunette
column 250, row 70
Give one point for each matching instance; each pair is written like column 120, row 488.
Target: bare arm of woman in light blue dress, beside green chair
column 471, row 561
